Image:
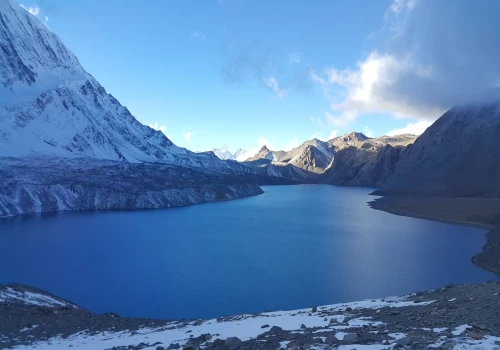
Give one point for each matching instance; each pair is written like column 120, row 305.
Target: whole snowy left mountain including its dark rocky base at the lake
column 65, row 143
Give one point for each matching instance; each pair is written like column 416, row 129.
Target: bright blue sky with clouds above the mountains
column 242, row 73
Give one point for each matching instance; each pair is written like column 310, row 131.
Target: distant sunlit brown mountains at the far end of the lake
column 353, row 159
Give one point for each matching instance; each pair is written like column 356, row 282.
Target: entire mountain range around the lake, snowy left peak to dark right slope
column 66, row 143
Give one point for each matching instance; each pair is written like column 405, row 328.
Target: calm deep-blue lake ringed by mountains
column 292, row 247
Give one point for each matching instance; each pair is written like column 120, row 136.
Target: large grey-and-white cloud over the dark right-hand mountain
column 427, row 62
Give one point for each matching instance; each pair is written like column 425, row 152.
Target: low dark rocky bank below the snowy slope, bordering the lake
column 53, row 184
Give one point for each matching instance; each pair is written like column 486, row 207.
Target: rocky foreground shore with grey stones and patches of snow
column 453, row 317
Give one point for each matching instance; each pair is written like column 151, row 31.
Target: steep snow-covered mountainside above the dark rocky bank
column 50, row 106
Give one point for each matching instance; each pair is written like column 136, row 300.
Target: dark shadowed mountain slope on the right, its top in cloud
column 459, row 155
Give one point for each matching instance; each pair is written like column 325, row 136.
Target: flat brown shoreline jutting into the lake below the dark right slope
column 482, row 213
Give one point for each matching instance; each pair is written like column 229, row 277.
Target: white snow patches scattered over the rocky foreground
column 337, row 320
